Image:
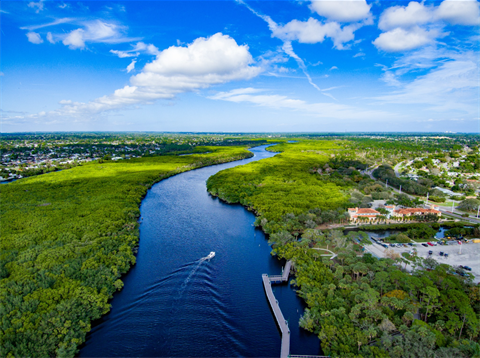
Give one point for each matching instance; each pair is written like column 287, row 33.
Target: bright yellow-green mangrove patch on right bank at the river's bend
column 283, row 189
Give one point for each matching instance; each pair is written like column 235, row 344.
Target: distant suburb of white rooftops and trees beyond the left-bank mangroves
column 24, row 154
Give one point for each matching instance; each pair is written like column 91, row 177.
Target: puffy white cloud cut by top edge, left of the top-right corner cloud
column 342, row 10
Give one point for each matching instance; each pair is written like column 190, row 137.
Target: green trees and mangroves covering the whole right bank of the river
column 358, row 306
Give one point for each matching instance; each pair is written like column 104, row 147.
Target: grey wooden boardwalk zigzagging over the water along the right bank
column 282, row 323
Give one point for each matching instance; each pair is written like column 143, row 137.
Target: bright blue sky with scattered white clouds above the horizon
column 250, row 66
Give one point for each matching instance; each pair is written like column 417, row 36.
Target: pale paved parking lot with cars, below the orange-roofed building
column 467, row 254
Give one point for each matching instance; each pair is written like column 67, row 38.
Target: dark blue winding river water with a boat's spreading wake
column 174, row 304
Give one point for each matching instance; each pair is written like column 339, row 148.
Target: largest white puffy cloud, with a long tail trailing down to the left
column 201, row 64
